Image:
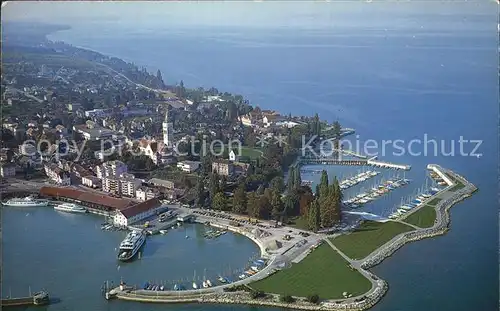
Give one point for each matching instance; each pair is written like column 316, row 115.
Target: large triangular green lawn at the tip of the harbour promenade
column 323, row 272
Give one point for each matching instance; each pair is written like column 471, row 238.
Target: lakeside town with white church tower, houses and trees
column 98, row 127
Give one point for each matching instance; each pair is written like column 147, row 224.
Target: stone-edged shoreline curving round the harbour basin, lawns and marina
column 359, row 303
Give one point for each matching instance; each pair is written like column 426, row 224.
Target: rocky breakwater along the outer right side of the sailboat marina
column 440, row 227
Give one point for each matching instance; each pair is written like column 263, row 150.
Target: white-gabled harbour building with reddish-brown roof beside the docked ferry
column 137, row 212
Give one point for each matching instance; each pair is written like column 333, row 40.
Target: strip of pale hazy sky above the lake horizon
column 241, row 13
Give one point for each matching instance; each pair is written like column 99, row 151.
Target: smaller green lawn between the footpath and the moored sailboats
column 368, row 237
